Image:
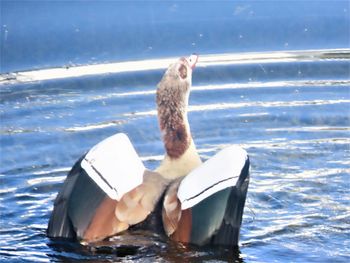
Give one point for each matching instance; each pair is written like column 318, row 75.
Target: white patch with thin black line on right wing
column 217, row 173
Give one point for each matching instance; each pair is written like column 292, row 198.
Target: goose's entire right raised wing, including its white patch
column 211, row 199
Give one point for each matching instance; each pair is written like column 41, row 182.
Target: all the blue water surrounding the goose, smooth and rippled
column 288, row 109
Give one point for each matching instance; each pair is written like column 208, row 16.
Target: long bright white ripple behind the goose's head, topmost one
column 153, row 64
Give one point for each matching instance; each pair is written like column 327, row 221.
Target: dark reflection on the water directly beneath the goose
column 141, row 246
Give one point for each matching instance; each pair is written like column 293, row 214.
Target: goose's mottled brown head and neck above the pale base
column 172, row 103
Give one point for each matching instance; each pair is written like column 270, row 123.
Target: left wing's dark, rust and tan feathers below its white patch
column 84, row 211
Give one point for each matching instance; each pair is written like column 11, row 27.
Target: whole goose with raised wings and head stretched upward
column 109, row 190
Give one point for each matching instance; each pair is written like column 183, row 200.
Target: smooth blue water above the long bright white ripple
column 38, row 34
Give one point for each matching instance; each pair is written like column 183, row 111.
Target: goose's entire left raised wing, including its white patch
column 107, row 190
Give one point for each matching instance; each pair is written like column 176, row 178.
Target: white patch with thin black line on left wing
column 114, row 165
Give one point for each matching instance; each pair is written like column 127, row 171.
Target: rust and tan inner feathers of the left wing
column 112, row 216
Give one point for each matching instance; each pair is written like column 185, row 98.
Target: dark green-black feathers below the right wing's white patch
column 217, row 219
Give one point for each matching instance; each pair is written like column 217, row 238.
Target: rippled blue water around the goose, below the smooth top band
column 291, row 115
